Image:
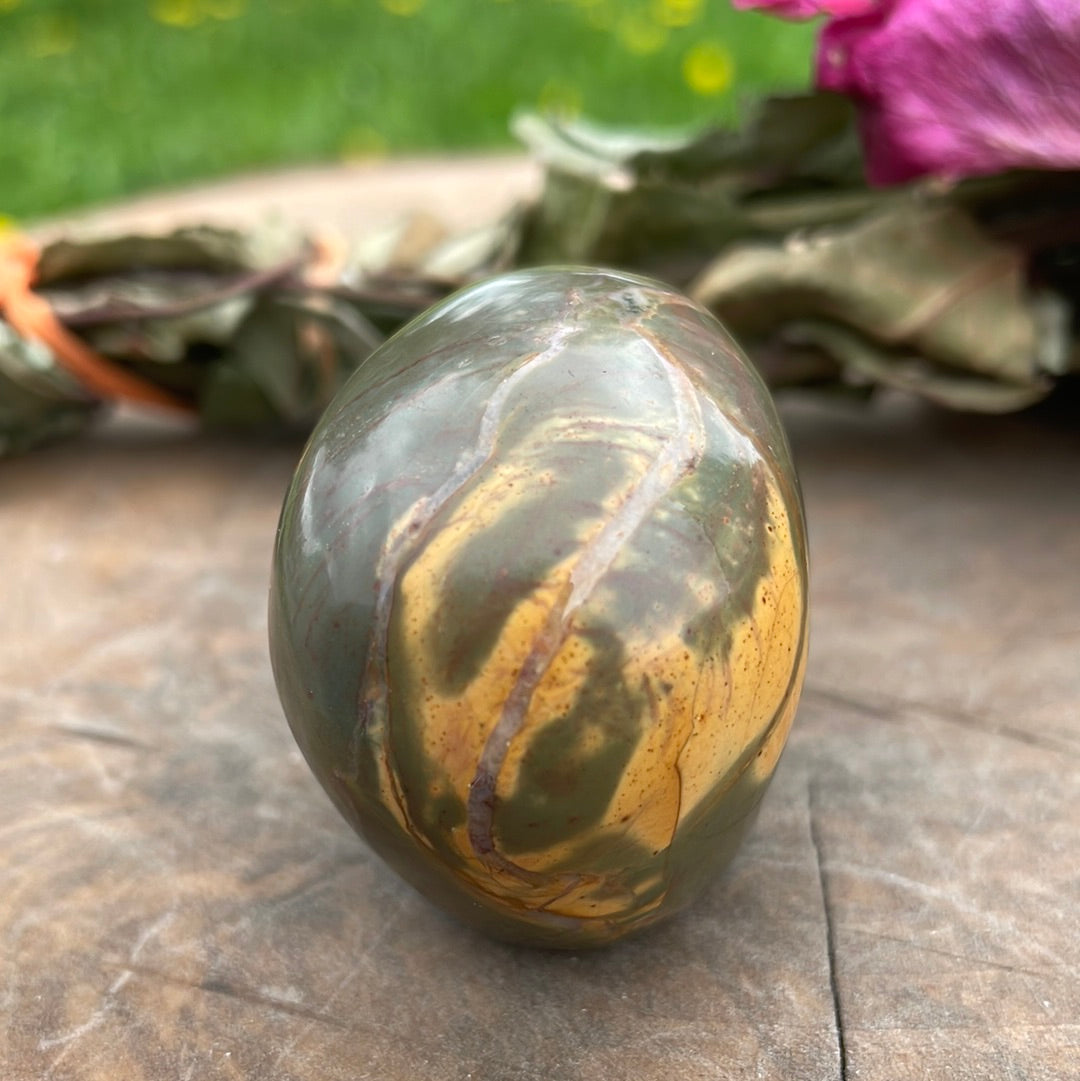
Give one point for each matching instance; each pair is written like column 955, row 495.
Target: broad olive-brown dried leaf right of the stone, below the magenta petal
column 924, row 278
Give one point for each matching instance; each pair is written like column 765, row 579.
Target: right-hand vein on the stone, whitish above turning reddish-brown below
column 678, row 457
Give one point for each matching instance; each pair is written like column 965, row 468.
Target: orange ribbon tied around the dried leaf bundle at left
column 33, row 317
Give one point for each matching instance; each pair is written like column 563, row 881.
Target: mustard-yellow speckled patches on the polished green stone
column 706, row 715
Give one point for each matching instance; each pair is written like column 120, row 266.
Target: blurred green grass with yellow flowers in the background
column 104, row 99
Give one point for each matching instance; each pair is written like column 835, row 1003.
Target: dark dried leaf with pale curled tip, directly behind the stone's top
column 668, row 206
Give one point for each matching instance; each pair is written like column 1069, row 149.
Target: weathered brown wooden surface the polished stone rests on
column 180, row 901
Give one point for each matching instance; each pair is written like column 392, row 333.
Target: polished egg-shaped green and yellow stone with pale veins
column 539, row 608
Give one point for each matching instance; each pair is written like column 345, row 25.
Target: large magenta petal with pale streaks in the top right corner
column 961, row 88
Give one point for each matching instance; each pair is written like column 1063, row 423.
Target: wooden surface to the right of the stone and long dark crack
column 941, row 738
